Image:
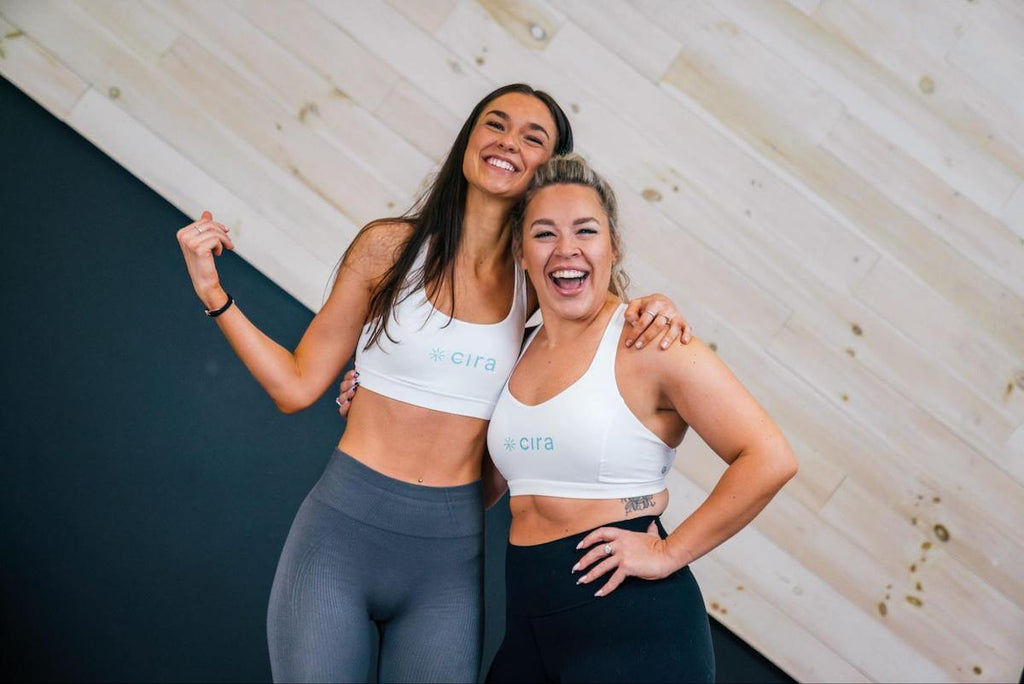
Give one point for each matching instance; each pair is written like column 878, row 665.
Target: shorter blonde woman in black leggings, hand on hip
column 584, row 436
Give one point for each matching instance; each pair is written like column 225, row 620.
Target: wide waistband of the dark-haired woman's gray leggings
column 364, row 494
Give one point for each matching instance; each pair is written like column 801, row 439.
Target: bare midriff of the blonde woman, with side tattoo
column 539, row 520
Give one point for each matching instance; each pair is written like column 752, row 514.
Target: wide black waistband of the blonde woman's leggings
column 540, row 580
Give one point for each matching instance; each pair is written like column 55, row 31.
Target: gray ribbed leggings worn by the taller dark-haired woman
column 373, row 559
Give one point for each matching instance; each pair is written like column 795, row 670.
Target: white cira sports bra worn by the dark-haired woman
column 457, row 368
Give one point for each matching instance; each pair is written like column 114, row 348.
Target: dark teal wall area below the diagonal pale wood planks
column 147, row 483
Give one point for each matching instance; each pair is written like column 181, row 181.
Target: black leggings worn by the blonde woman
column 560, row 632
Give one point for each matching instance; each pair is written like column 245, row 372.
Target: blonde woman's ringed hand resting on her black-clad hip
column 644, row 555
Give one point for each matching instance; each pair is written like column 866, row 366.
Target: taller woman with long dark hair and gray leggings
column 389, row 544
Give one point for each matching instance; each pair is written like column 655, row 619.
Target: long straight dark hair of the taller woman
column 438, row 217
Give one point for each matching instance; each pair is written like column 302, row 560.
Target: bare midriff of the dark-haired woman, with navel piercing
column 413, row 444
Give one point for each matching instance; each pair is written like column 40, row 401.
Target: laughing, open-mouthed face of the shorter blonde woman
column 568, row 250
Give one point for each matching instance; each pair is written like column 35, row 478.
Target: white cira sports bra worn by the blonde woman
column 582, row 444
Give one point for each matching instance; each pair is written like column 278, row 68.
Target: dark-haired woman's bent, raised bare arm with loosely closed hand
column 294, row 379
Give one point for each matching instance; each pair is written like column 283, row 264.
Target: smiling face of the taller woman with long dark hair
column 515, row 135
